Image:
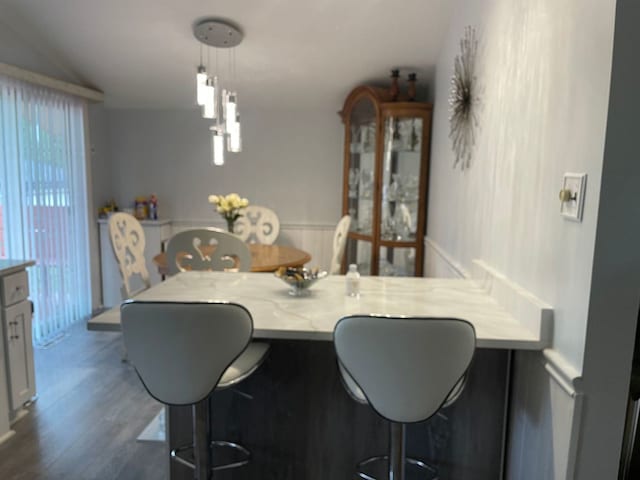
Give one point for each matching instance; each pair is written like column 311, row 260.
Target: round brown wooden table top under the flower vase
column 264, row 258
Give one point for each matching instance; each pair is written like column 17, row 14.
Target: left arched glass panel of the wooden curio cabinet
column 362, row 162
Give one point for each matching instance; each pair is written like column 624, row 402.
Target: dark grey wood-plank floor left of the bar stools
column 90, row 408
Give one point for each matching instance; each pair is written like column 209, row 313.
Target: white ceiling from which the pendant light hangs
column 295, row 53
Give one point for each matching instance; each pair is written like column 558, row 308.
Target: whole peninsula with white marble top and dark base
column 300, row 413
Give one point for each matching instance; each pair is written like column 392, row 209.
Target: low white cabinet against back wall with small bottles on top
column 156, row 232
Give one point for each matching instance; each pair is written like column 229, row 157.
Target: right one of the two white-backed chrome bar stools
column 406, row 369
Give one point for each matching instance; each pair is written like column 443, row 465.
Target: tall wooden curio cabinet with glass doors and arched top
column 385, row 179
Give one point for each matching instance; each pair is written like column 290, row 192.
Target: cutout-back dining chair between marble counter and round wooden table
column 229, row 253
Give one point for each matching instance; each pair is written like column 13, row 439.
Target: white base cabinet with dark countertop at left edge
column 17, row 372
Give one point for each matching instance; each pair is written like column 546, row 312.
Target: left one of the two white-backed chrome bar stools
column 182, row 352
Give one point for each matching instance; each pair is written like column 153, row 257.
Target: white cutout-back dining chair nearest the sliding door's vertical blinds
column 128, row 243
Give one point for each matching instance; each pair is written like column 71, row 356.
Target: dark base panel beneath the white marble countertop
column 302, row 425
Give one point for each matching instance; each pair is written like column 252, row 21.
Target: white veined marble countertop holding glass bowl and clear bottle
column 278, row 315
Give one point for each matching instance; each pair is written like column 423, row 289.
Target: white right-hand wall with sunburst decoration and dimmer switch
column 543, row 77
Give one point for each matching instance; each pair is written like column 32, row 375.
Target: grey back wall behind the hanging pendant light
column 291, row 162
